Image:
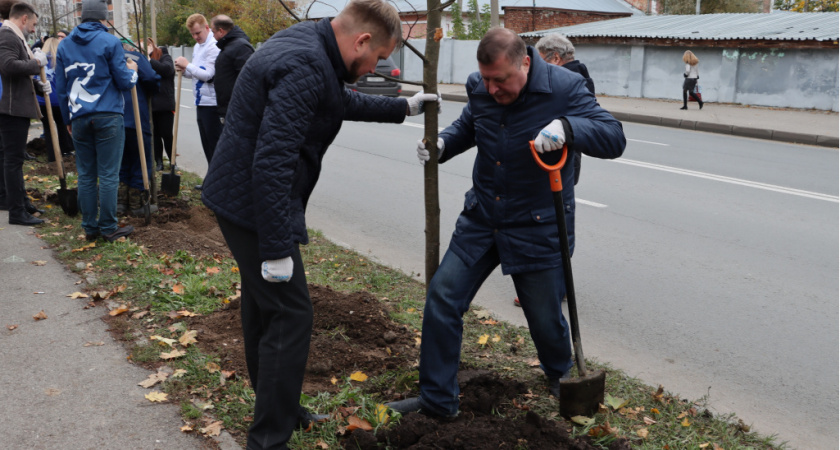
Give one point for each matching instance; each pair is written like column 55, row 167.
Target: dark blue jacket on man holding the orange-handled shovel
column 511, row 204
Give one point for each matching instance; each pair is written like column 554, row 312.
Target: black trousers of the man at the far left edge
column 13, row 133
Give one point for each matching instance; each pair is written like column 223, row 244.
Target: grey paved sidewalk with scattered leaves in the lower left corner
column 65, row 383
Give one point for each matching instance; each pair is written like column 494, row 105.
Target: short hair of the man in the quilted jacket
column 376, row 17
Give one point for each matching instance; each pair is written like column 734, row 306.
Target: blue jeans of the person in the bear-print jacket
column 99, row 140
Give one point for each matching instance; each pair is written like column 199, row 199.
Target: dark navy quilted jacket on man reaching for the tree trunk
column 286, row 110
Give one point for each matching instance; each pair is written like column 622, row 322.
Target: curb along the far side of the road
column 709, row 127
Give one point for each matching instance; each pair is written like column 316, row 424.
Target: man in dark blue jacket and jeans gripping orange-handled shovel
column 509, row 216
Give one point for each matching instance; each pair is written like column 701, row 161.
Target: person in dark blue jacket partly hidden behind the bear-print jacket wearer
column 131, row 174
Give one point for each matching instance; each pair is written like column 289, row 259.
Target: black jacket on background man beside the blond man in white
column 234, row 49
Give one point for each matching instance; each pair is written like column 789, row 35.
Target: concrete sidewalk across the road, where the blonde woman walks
column 786, row 125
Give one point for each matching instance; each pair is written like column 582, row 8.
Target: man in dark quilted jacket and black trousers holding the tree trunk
column 287, row 107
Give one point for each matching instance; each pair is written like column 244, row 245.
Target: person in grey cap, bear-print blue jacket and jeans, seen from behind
column 90, row 74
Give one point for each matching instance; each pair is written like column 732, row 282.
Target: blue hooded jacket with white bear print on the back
column 90, row 73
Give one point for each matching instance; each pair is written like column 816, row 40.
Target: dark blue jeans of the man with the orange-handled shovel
column 450, row 293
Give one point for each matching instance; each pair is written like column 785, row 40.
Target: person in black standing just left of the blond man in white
column 163, row 103
